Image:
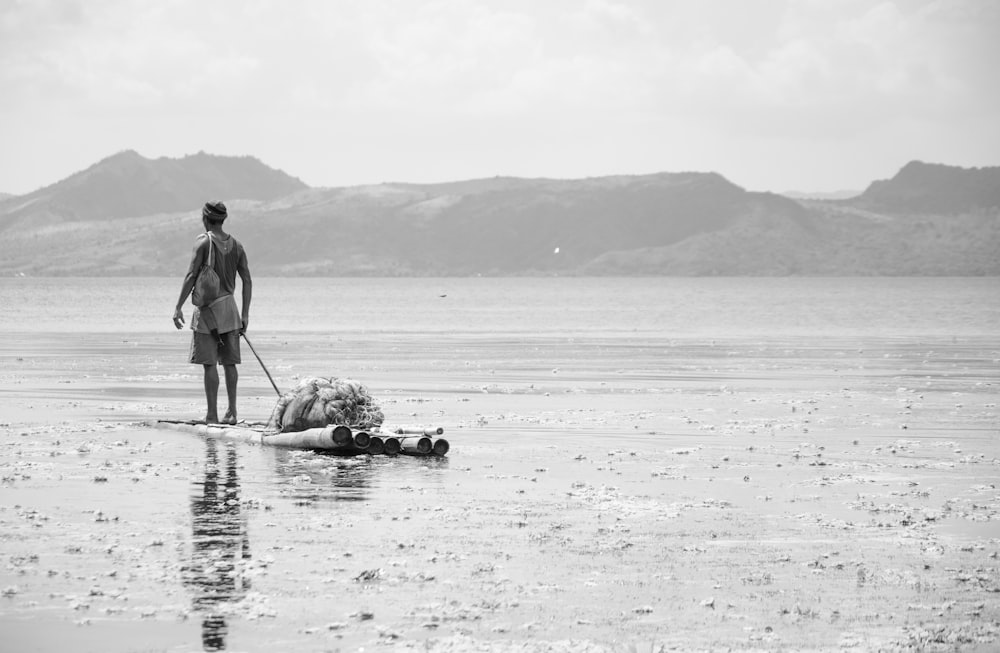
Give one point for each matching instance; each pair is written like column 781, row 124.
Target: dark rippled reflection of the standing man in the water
column 220, row 545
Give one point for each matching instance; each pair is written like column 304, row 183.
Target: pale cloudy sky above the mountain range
column 778, row 95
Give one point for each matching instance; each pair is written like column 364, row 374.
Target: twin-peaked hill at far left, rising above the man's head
column 130, row 185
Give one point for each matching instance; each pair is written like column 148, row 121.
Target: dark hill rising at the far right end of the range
column 931, row 188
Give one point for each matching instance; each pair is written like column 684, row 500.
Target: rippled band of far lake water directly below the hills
column 665, row 307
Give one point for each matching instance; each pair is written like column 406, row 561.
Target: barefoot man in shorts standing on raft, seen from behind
column 221, row 316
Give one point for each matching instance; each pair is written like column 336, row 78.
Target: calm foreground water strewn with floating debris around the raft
column 602, row 492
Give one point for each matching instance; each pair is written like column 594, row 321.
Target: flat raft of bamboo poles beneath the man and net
column 335, row 439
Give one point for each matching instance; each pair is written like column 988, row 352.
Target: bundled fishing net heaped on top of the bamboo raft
column 318, row 402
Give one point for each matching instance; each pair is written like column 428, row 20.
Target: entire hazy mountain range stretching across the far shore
column 129, row 215
